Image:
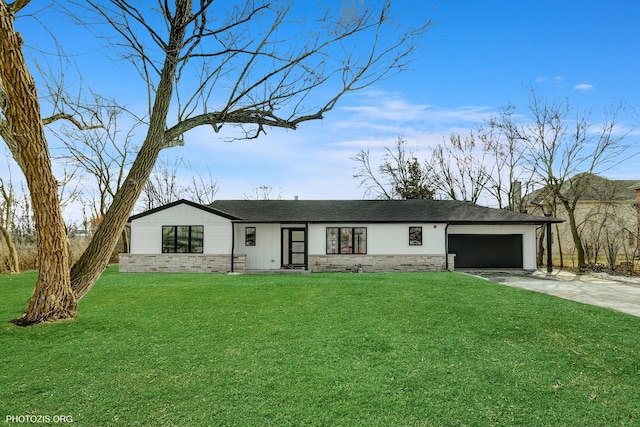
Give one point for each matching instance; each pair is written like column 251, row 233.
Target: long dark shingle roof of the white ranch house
column 423, row 210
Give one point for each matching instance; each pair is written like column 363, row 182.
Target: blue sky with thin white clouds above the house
column 477, row 57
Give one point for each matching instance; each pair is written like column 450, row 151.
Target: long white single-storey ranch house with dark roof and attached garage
column 330, row 235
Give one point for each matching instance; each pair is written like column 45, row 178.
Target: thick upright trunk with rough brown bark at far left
column 52, row 298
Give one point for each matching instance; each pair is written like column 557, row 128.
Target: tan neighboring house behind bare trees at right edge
column 606, row 215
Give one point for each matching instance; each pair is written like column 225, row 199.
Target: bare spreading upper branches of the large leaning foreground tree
column 258, row 61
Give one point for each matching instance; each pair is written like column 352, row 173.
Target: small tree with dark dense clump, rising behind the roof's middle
column 399, row 176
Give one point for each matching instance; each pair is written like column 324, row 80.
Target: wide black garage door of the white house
column 486, row 250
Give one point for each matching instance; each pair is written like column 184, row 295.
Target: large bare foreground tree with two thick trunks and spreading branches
column 253, row 66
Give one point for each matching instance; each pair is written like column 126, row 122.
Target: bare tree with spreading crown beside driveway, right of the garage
column 563, row 150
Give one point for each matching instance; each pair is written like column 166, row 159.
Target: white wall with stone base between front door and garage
column 388, row 249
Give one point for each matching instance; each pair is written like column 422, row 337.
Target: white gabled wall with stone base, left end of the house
column 146, row 243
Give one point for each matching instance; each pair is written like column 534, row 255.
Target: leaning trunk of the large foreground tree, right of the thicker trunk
column 95, row 258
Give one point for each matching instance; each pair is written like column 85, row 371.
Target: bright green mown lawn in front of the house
column 423, row 349
